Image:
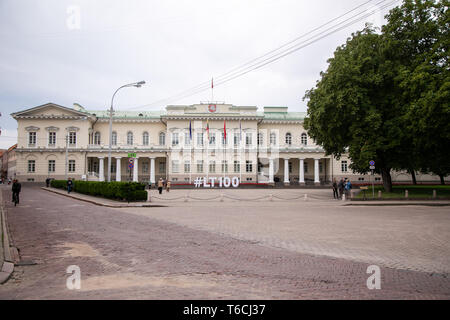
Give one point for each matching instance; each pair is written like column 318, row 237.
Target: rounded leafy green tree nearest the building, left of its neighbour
column 354, row 108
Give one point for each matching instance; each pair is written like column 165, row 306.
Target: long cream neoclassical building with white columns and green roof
column 178, row 144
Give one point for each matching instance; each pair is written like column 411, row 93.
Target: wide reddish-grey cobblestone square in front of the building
column 231, row 246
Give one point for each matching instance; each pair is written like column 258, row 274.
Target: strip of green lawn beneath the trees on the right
column 414, row 192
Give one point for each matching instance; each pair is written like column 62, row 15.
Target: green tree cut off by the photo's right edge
column 422, row 30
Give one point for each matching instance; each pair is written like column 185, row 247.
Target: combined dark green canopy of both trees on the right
column 384, row 97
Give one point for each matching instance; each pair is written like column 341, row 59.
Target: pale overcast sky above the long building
column 47, row 56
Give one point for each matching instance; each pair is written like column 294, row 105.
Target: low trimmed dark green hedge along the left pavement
column 129, row 191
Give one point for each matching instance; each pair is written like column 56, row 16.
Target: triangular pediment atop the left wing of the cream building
column 49, row 111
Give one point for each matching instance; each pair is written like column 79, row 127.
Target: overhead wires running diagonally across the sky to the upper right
column 281, row 51
